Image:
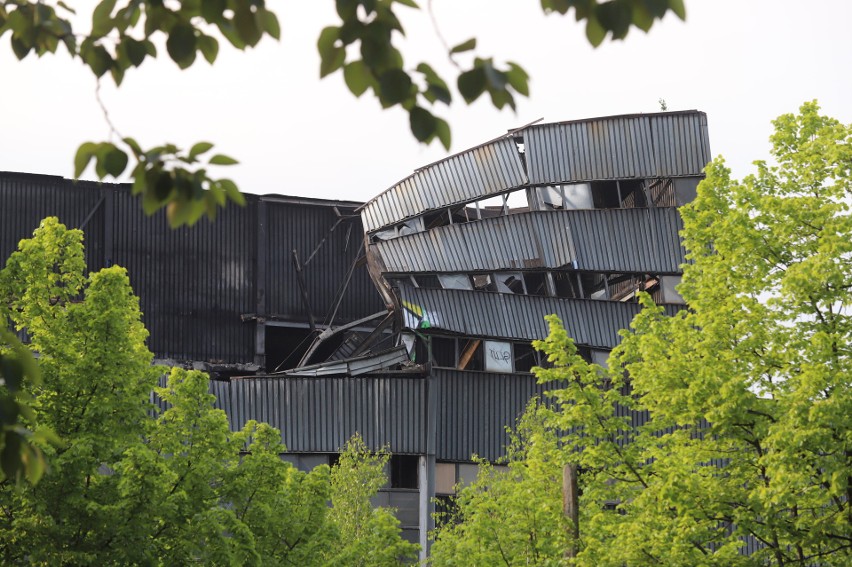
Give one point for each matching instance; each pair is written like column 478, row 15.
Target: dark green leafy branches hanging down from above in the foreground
column 362, row 46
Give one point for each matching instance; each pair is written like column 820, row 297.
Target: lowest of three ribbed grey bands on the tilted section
column 488, row 314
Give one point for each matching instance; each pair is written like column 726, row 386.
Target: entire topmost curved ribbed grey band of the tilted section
column 671, row 144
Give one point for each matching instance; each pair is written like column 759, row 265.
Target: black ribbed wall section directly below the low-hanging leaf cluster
column 193, row 283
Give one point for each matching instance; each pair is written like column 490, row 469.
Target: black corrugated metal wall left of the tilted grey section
column 195, row 283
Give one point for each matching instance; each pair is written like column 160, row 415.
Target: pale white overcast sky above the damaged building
column 743, row 62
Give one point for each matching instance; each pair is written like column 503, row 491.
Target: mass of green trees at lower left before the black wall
column 129, row 485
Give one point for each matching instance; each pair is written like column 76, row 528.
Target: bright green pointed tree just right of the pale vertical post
column 512, row 516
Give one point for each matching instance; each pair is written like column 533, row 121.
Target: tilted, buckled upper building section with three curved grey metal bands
column 573, row 218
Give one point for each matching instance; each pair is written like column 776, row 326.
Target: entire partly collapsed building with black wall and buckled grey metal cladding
column 407, row 319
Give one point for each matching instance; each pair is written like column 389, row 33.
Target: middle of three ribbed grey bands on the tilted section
column 614, row 240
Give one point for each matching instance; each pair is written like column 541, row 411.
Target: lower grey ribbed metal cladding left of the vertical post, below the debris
column 321, row 414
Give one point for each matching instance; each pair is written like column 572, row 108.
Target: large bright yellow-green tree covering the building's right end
column 746, row 394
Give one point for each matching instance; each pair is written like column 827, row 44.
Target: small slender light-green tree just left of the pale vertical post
column 368, row 536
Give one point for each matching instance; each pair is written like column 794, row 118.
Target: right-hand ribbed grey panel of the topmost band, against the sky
column 618, row 147
